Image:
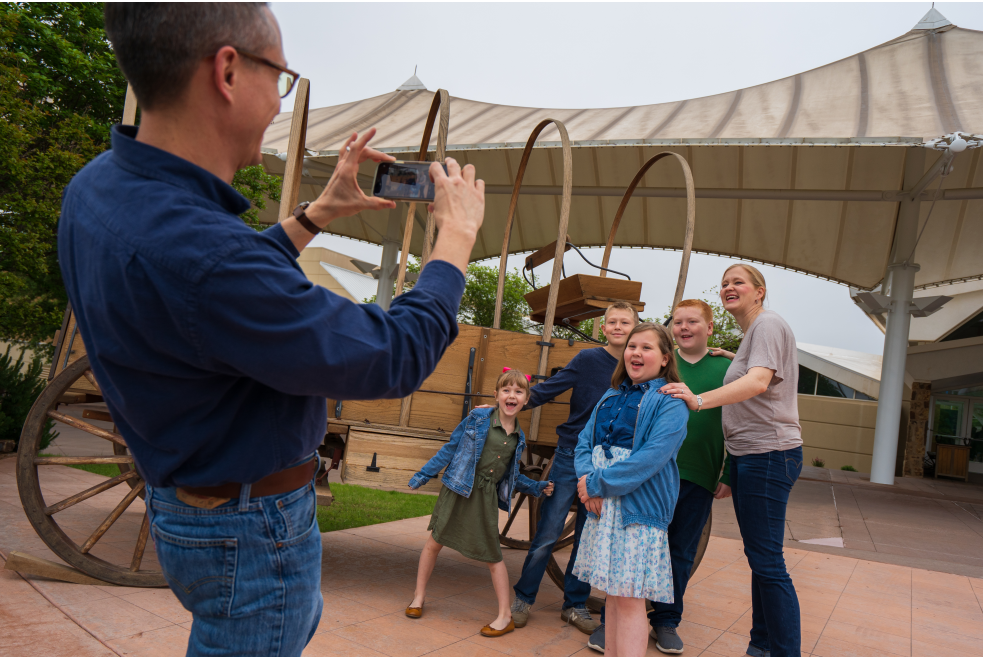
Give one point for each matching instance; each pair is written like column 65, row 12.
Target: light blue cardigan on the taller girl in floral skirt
column 648, row 481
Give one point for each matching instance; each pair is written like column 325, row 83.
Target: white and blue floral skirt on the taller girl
column 630, row 561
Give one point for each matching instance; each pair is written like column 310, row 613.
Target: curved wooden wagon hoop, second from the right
column 557, row 256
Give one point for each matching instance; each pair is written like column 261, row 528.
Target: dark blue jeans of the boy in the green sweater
column 688, row 519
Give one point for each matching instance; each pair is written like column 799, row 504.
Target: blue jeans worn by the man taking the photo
column 249, row 570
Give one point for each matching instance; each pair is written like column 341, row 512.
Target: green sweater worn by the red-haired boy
column 702, row 453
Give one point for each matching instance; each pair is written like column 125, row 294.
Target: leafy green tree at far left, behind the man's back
column 60, row 91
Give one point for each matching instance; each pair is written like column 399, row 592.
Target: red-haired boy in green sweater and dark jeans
column 703, row 474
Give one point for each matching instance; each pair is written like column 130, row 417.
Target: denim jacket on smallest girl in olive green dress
column 461, row 454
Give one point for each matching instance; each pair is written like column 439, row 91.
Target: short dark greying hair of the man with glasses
column 158, row 45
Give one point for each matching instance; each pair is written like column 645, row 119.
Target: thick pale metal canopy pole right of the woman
column 902, row 282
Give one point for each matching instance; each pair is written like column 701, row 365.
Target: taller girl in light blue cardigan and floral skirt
column 628, row 480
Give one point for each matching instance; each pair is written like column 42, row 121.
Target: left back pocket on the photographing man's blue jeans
column 200, row 571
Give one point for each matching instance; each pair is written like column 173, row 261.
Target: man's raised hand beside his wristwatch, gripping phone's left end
column 342, row 197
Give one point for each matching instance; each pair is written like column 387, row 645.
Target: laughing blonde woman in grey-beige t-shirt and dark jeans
column 764, row 439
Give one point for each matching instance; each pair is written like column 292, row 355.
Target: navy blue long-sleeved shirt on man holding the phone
column 213, row 350
